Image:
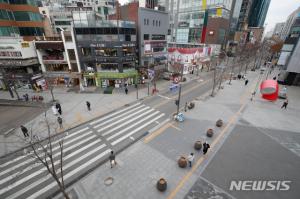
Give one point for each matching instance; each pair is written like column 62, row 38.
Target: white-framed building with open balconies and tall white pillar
column 59, row 59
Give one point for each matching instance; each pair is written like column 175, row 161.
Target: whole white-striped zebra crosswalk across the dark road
column 84, row 148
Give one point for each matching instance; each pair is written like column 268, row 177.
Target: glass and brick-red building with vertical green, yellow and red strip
column 187, row 20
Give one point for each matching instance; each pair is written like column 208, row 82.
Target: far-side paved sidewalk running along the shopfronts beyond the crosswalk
column 74, row 110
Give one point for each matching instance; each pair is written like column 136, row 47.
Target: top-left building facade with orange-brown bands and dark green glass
column 20, row 18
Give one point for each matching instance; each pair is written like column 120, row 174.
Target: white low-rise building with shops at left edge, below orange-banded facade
column 19, row 64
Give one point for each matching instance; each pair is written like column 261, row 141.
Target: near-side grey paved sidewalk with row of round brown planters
column 141, row 165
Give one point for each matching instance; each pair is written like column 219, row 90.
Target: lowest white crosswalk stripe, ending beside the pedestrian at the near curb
column 68, row 175
